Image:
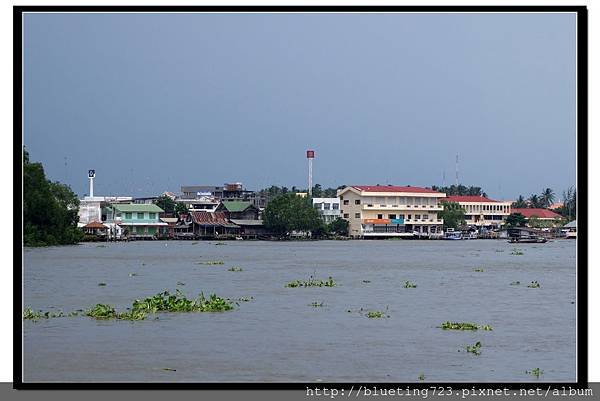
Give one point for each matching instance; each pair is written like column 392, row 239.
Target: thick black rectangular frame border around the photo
column 581, row 184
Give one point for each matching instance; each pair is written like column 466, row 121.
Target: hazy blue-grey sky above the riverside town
column 156, row 101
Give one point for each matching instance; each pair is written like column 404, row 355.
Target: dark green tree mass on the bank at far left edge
column 50, row 209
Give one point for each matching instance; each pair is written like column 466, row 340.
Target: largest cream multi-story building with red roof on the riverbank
column 391, row 211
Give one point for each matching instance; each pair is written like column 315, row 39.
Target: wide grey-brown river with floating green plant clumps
column 279, row 337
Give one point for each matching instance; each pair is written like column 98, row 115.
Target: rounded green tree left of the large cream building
column 290, row 212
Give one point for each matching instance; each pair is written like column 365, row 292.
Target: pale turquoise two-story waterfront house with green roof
column 139, row 221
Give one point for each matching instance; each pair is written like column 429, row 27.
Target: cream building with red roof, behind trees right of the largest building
column 481, row 211
